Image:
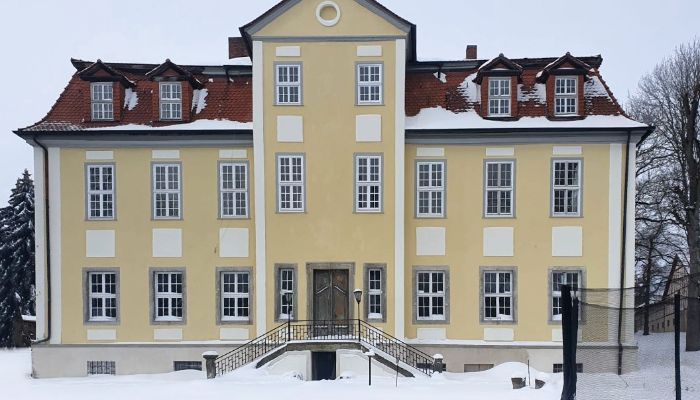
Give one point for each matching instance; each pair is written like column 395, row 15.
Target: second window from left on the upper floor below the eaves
column 166, row 191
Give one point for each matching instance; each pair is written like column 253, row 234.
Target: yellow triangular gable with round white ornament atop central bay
column 319, row 18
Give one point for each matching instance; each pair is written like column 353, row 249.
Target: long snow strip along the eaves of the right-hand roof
column 440, row 118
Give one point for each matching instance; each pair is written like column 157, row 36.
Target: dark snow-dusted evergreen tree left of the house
column 17, row 258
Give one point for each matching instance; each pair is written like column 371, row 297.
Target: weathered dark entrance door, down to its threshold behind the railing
column 331, row 301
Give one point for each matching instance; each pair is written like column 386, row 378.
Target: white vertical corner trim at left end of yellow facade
column 55, row 229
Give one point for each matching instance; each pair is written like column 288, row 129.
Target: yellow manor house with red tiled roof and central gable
column 323, row 192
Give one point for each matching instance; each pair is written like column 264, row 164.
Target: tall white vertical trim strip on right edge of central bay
column 399, row 190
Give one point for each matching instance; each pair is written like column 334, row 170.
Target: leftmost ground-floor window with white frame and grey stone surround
column 102, row 296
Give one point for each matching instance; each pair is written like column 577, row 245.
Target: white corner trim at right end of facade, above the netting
column 615, row 215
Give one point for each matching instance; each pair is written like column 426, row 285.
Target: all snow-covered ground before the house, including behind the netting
column 653, row 381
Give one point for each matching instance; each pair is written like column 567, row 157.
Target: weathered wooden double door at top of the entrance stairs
column 331, row 293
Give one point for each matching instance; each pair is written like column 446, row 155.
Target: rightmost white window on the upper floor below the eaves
column 566, row 188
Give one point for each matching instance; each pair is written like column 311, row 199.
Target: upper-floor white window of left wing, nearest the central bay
column 233, row 188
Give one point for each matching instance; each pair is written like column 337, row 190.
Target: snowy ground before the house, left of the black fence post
column 249, row 383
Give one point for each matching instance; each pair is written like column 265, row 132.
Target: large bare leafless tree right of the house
column 669, row 98
